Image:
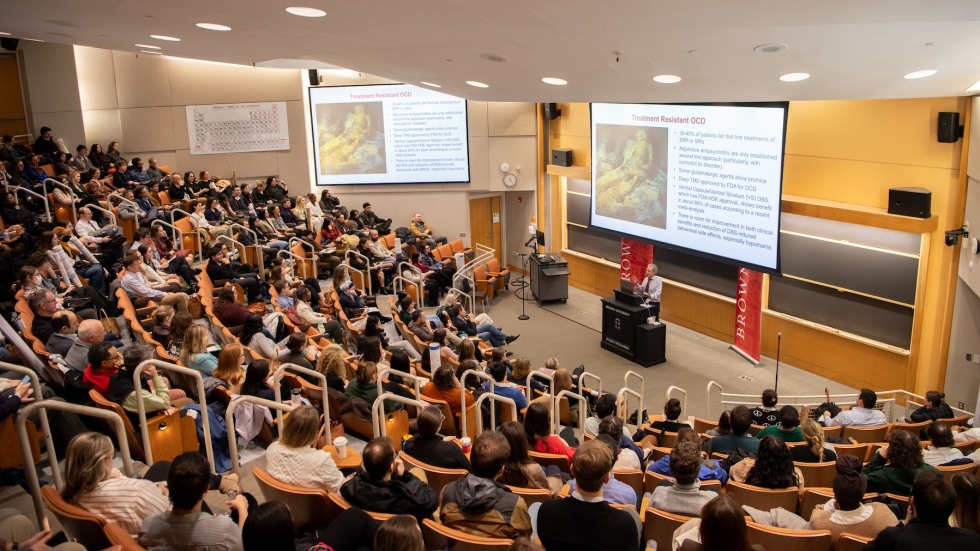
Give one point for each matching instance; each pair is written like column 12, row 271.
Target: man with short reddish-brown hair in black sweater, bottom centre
column 571, row 524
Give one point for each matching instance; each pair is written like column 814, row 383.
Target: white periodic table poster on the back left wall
column 237, row 128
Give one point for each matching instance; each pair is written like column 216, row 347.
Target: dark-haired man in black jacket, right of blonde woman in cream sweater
column 384, row 485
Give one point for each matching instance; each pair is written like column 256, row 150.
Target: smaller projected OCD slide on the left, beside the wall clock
column 389, row 134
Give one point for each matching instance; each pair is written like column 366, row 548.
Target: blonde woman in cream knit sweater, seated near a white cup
column 296, row 457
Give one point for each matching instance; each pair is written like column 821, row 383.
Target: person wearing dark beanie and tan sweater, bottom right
column 846, row 513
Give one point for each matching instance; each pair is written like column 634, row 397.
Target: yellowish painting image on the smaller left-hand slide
column 352, row 138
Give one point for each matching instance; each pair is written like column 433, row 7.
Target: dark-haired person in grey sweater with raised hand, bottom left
column 185, row 526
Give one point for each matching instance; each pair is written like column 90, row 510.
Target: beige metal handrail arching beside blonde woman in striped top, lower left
column 31, row 469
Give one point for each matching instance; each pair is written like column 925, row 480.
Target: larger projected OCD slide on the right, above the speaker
column 702, row 177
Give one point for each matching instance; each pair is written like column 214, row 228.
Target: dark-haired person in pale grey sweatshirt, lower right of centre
column 684, row 497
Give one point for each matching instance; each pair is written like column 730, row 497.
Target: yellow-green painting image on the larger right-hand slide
column 631, row 173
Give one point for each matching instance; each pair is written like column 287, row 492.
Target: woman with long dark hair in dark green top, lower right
column 894, row 468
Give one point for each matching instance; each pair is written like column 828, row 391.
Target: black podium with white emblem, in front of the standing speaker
column 626, row 332
